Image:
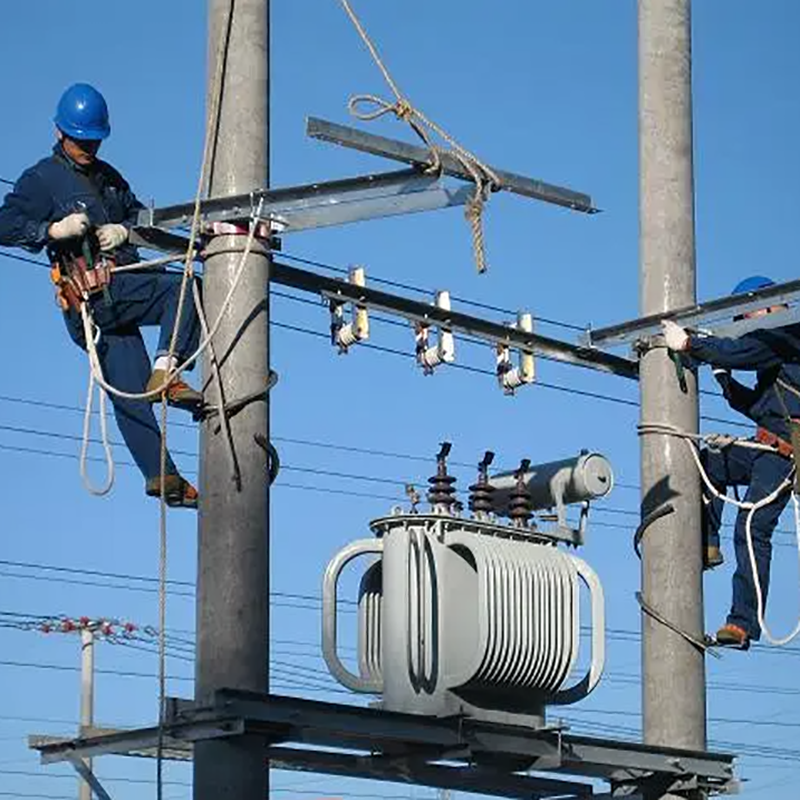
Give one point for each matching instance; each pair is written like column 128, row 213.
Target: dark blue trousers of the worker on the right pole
column 761, row 472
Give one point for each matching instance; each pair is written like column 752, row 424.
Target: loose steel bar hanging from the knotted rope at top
column 420, row 156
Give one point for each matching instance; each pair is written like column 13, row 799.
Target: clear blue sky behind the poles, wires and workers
column 543, row 88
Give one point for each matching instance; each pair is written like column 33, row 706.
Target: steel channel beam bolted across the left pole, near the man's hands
column 319, row 205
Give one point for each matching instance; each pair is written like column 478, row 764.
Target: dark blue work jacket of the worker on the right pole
column 774, row 355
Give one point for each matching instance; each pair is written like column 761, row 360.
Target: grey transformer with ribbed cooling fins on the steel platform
column 478, row 616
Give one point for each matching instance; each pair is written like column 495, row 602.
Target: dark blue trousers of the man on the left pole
column 137, row 300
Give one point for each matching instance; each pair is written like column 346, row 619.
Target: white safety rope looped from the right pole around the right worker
column 691, row 439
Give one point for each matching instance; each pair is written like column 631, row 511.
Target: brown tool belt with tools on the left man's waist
column 79, row 270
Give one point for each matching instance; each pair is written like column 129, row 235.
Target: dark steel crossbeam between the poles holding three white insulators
column 491, row 332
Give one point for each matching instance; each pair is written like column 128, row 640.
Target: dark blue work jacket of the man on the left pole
column 57, row 187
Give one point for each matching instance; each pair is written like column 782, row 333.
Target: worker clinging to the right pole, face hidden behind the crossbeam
column 774, row 355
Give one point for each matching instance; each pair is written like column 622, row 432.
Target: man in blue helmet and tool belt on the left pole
column 71, row 200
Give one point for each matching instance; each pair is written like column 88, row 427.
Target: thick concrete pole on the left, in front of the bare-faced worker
column 233, row 567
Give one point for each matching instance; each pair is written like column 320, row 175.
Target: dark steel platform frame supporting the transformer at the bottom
column 456, row 753
